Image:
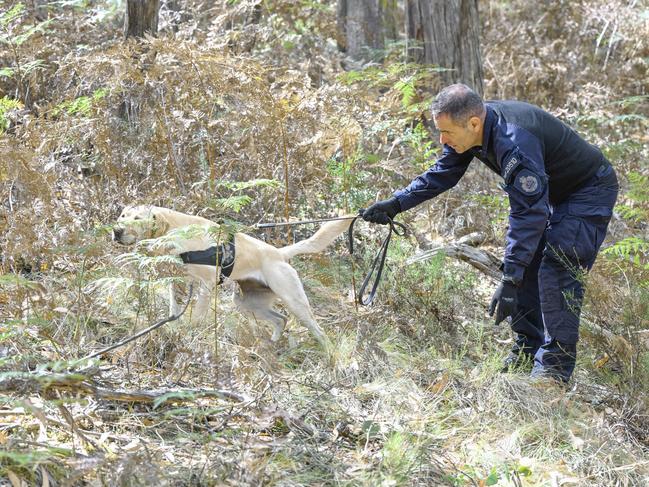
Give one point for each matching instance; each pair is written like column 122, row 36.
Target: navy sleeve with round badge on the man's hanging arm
column 526, row 184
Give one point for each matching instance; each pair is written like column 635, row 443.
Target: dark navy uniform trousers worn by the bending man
column 551, row 295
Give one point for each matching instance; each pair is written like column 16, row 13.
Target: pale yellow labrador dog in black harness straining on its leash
column 261, row 270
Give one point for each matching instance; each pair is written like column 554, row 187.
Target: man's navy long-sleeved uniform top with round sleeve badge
column 541, row 160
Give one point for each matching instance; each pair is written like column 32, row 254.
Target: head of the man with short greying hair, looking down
column 459, row 115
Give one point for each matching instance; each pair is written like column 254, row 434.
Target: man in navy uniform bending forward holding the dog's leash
column 561, row 192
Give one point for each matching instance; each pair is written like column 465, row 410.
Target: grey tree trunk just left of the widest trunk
column 360, row 31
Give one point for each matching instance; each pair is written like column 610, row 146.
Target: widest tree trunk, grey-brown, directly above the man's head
column 446, row 33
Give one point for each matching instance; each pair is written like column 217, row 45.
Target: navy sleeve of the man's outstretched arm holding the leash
column 445, row 174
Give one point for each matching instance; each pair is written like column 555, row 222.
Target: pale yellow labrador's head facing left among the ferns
column 139, row 222
